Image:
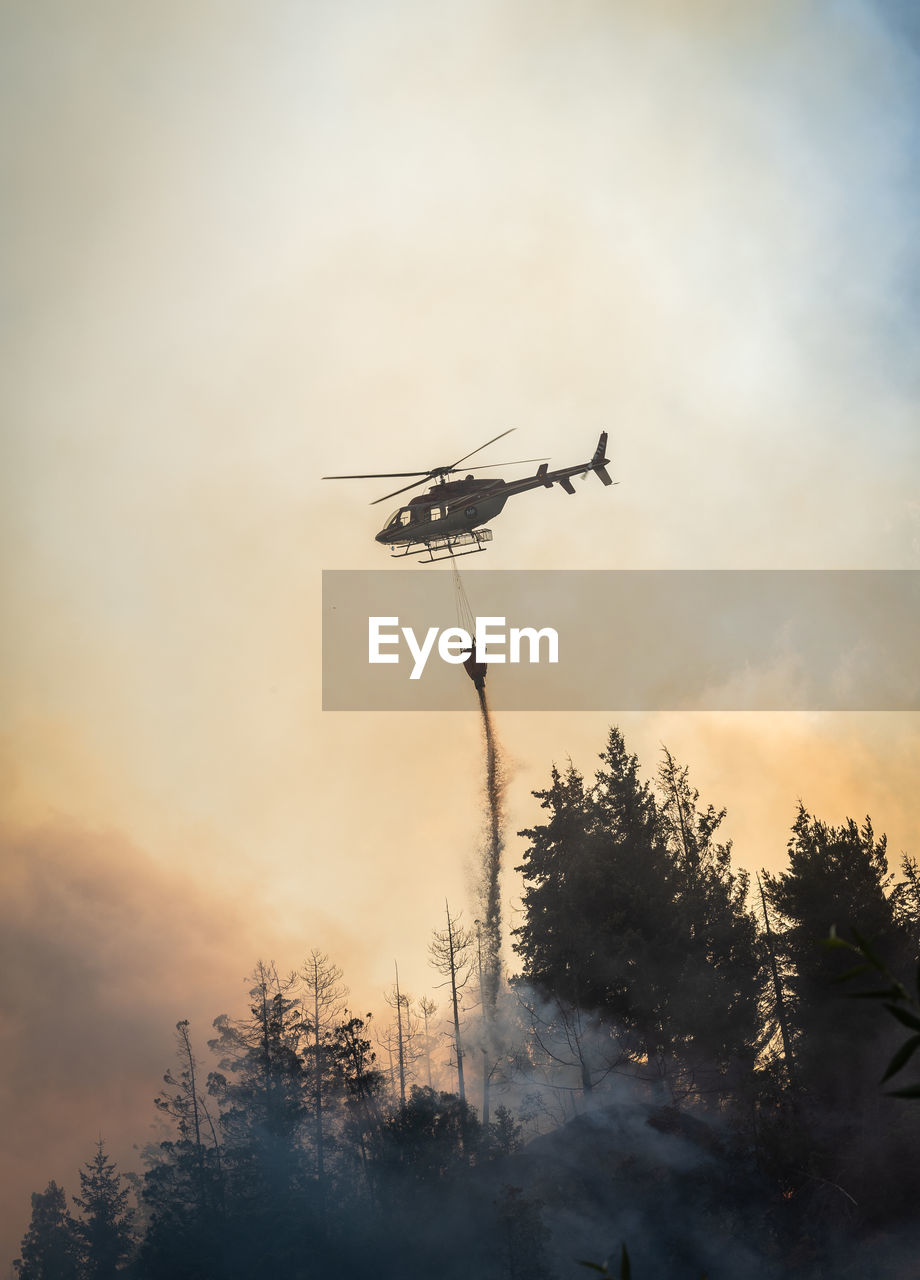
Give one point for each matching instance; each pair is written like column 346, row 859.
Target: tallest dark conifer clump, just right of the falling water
column 634, row 913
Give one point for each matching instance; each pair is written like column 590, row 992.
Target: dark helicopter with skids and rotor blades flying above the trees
column 447, row 520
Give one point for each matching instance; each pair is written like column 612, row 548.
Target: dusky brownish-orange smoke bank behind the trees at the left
column 103, row 950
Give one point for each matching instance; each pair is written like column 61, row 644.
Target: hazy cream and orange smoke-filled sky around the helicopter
column 248, row 246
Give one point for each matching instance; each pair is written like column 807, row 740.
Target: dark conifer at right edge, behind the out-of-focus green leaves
column 861, row 1145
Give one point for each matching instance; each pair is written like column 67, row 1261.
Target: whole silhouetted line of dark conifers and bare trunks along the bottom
column 661, row 994
